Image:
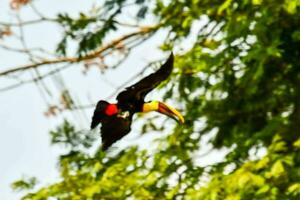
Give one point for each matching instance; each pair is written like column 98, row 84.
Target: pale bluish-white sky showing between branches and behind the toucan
column 25, row 148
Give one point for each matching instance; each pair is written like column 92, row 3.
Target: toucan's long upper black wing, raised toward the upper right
column 139, row 90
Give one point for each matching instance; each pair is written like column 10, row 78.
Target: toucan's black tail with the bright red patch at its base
column 103, row 109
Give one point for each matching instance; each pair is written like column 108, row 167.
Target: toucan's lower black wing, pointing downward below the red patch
column 113, row 129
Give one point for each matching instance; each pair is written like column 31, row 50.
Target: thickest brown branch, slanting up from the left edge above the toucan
column 89, row 56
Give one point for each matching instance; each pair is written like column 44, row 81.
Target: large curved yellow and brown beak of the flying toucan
column 164, row 109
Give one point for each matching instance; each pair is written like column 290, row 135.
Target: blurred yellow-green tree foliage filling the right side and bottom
column 238, row 84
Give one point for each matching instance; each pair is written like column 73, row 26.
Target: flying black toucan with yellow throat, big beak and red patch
column 116, row 118
